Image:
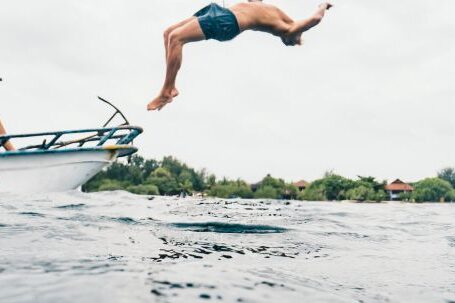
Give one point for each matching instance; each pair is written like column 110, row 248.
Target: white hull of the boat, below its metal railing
column 51, row 171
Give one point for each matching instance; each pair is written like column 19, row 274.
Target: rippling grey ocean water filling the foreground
column 119, row 247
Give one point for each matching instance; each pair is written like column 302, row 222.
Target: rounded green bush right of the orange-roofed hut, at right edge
column 433, row 190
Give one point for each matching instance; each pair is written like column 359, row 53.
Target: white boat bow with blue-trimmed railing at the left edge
column 63, row 165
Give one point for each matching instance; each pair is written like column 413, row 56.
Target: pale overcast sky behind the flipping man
column 370, row 92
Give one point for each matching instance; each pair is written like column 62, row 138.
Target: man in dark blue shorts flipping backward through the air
column 223, row 24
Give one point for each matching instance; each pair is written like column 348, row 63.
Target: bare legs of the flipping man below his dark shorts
column 190, row 32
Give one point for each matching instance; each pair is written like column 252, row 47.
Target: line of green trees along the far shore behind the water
column 173, row 177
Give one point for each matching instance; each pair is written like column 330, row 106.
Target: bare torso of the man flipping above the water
column 261, row 17
